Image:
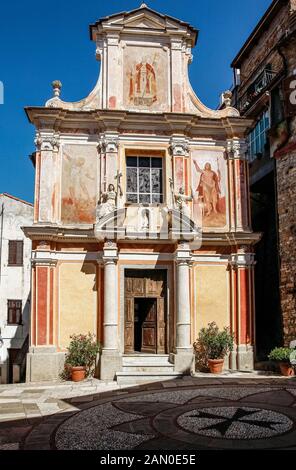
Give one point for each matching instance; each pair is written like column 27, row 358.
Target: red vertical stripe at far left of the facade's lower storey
column 41, row 305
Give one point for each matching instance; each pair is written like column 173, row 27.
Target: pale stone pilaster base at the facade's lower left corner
column 44, row 363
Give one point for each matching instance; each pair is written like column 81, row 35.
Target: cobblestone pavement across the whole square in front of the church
column 202, row 412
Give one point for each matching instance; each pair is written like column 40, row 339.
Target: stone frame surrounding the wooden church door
column 165, row 266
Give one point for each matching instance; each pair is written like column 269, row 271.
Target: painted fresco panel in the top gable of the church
column 145, row 78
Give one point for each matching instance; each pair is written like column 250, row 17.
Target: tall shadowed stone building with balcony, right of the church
column 264, row 90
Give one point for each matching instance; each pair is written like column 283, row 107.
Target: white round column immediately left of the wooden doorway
column 110, row 362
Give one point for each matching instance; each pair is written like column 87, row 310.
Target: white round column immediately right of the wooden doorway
column 184, row 359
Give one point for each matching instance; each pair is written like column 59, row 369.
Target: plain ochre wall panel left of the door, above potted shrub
column 77, row 300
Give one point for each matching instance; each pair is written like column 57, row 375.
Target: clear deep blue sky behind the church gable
column 44, row 41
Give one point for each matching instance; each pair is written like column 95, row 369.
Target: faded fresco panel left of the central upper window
column 79, row 184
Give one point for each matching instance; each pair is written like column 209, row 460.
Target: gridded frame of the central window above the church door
column 150, row 167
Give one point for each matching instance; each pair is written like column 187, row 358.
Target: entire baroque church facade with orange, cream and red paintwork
column 141, row 230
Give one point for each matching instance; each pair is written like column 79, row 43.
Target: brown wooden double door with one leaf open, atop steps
column 145, row 316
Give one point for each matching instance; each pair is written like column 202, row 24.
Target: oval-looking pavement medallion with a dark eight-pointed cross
column 235, row 423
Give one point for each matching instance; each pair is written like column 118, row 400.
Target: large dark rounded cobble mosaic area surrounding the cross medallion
column 185, row 418
